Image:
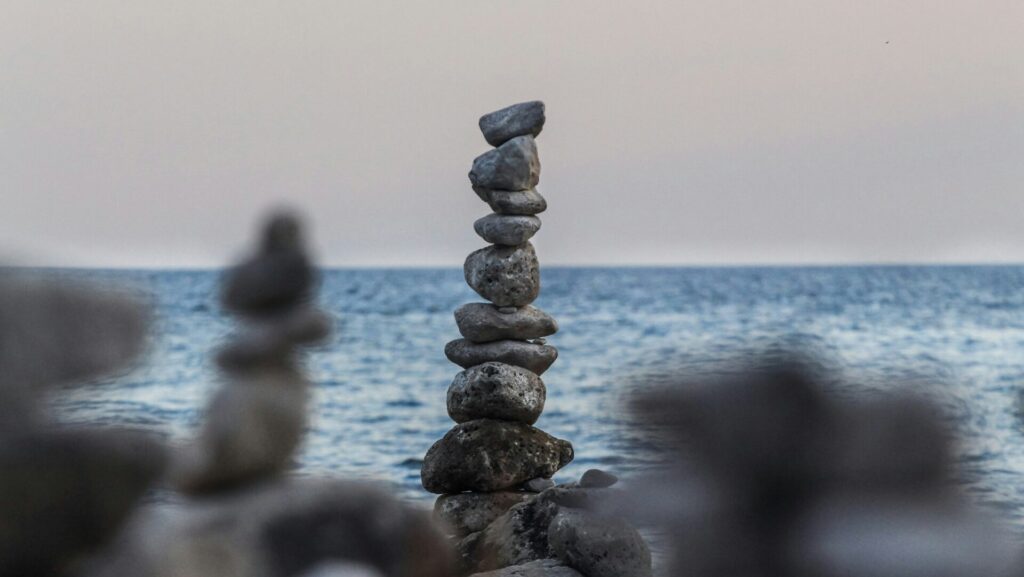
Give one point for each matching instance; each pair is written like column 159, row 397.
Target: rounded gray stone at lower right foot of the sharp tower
column 599, row 547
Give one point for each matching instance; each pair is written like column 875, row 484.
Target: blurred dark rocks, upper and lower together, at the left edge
column 65, row 491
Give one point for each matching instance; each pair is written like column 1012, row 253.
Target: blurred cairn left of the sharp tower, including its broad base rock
column 242, row 516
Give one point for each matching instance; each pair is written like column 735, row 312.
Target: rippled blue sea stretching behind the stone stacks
column 957, row 333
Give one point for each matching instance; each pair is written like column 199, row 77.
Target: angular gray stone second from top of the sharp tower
column 513, row 167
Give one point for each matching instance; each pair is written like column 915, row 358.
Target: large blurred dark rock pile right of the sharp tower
column 783, row 470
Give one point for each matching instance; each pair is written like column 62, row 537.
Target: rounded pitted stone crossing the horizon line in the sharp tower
column 506, row 276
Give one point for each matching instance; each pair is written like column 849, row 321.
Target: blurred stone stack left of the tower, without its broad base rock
column 258, row 420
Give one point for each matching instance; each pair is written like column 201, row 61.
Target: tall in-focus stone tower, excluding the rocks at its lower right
column 494, row 458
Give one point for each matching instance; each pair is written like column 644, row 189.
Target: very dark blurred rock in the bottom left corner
column 65, row 493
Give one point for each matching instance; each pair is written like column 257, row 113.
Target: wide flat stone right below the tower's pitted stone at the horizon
column 481, row 322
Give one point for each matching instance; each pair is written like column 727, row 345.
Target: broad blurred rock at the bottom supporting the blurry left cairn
column 283, row 529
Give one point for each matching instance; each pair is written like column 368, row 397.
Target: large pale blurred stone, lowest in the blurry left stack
column 252, row 428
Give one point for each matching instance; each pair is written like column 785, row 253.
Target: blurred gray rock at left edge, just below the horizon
column 55, row 333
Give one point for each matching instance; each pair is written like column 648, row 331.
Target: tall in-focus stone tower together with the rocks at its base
column 494, row 470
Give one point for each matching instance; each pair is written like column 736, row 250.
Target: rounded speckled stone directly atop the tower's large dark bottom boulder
column 496, row 391
